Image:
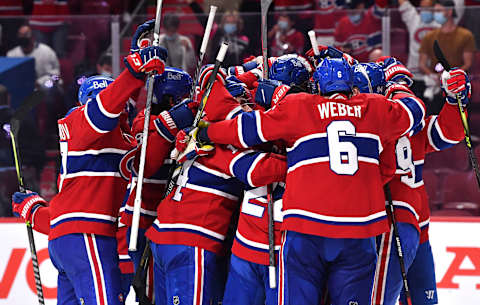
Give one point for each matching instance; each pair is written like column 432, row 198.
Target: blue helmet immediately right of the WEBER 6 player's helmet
column 369, row 78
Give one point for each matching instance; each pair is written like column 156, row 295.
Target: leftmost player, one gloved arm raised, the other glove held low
column 82, row 220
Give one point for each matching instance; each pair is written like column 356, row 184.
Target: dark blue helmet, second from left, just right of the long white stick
column 174, row 82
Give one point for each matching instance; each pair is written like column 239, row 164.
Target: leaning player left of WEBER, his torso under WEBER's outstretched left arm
column 188, row 236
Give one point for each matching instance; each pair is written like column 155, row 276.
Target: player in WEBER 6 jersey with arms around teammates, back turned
column 338, row 138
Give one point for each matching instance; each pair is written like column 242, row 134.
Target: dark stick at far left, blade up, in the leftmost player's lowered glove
column 14, row 129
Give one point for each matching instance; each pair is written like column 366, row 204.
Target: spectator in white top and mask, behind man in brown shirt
column 419, row 23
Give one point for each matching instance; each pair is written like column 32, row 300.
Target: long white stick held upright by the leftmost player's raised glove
column 132, row 246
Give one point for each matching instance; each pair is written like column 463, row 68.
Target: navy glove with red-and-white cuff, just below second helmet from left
column 178, row 117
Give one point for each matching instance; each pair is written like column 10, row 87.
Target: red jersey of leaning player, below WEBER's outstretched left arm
column 199, row 209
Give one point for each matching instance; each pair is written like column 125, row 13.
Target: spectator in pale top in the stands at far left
column 47, row 66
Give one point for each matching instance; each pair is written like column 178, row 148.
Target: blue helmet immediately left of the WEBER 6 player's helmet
column 291, row 70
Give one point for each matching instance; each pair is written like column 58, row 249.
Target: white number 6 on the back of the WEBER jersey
column 343, row 155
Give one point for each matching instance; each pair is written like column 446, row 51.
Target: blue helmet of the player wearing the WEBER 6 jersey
column 333, row 75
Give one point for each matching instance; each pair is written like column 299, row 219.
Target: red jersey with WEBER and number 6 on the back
column 338, row 140
